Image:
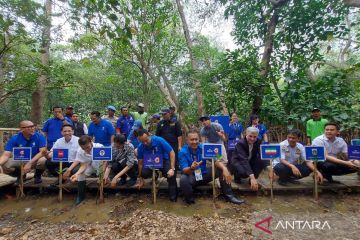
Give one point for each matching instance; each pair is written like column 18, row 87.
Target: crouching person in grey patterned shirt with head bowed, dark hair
column 124, row 162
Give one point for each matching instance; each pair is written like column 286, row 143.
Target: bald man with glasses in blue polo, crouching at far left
column 27, row 137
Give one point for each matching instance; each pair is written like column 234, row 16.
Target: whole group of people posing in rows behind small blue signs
column 134, row 138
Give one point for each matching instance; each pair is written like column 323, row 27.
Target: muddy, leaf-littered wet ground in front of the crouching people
column 131, row 215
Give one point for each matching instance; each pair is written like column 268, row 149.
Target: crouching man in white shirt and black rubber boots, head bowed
column 87, row 166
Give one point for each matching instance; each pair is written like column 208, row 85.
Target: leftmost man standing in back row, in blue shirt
column 52, row 127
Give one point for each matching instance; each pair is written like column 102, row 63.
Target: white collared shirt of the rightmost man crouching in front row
column 332, row 148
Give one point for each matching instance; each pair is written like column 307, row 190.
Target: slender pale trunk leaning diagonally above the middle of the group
column 194, row 64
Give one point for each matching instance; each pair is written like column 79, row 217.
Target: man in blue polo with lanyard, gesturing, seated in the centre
column 195, row 172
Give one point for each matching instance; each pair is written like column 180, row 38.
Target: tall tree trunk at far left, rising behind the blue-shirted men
column 38, row 95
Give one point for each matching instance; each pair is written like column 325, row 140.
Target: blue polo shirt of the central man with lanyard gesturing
column 187, row 157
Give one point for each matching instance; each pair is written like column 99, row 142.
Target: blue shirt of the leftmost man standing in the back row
column 53, row 129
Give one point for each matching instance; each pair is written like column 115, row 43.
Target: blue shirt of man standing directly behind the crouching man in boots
column 102, row 132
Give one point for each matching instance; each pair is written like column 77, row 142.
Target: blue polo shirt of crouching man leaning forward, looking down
column 158, row 146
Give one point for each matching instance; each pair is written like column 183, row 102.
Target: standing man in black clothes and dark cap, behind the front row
column 171, row 132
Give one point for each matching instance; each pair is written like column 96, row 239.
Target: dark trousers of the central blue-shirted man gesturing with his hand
column 188, row 183
